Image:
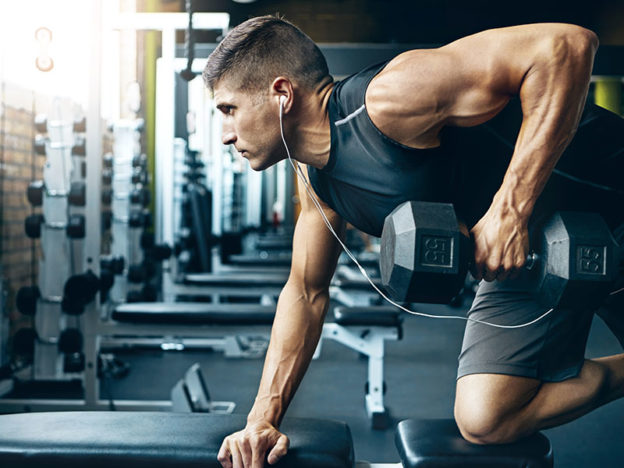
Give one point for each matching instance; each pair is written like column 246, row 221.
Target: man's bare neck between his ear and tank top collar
column 310, row 136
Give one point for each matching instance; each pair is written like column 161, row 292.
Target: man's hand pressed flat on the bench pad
column 247, row 448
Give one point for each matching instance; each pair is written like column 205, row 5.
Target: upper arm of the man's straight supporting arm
column 315, row 249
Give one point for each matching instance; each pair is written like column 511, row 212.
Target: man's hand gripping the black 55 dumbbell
column 501, row 245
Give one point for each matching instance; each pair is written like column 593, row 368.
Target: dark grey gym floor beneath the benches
column 420, row 377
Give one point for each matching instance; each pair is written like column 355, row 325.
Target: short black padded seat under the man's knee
column 436, row 443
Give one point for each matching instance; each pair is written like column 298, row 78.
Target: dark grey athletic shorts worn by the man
column 551, row 350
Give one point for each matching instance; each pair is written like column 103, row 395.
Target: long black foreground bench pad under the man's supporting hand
column 147, row 439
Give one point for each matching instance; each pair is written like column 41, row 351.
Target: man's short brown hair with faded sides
column 261, row 48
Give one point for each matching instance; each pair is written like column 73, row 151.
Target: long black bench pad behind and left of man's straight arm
column 194, row 312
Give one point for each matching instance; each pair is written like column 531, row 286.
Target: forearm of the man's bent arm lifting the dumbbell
column 552, row 94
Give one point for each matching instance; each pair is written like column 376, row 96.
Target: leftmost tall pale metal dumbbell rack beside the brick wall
column 62, row 230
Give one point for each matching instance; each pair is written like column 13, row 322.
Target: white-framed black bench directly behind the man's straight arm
column 363, row 329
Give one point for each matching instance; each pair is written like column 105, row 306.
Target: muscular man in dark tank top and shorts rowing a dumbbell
column 433, row 125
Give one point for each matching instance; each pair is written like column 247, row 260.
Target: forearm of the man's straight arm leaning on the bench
column 296, row 331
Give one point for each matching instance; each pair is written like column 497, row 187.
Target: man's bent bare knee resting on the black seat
column 488, row 408
